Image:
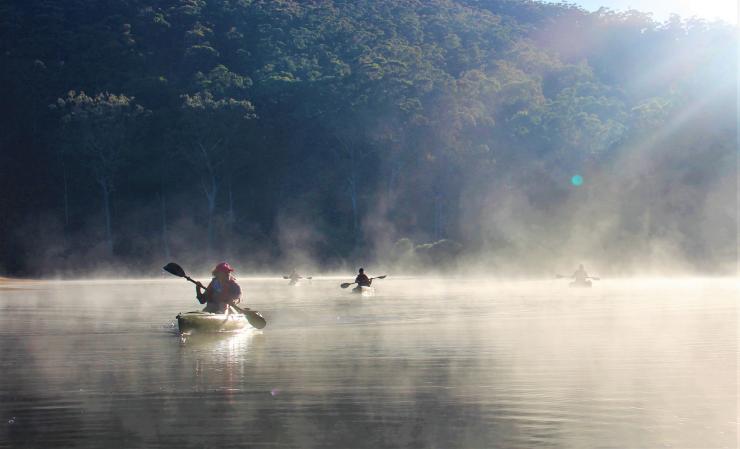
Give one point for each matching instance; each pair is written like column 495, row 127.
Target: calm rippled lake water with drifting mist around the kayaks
column 456, row 364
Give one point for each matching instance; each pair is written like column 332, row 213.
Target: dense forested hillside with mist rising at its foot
column 514, row 134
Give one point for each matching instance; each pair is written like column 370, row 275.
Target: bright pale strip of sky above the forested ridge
column 707, row 9
